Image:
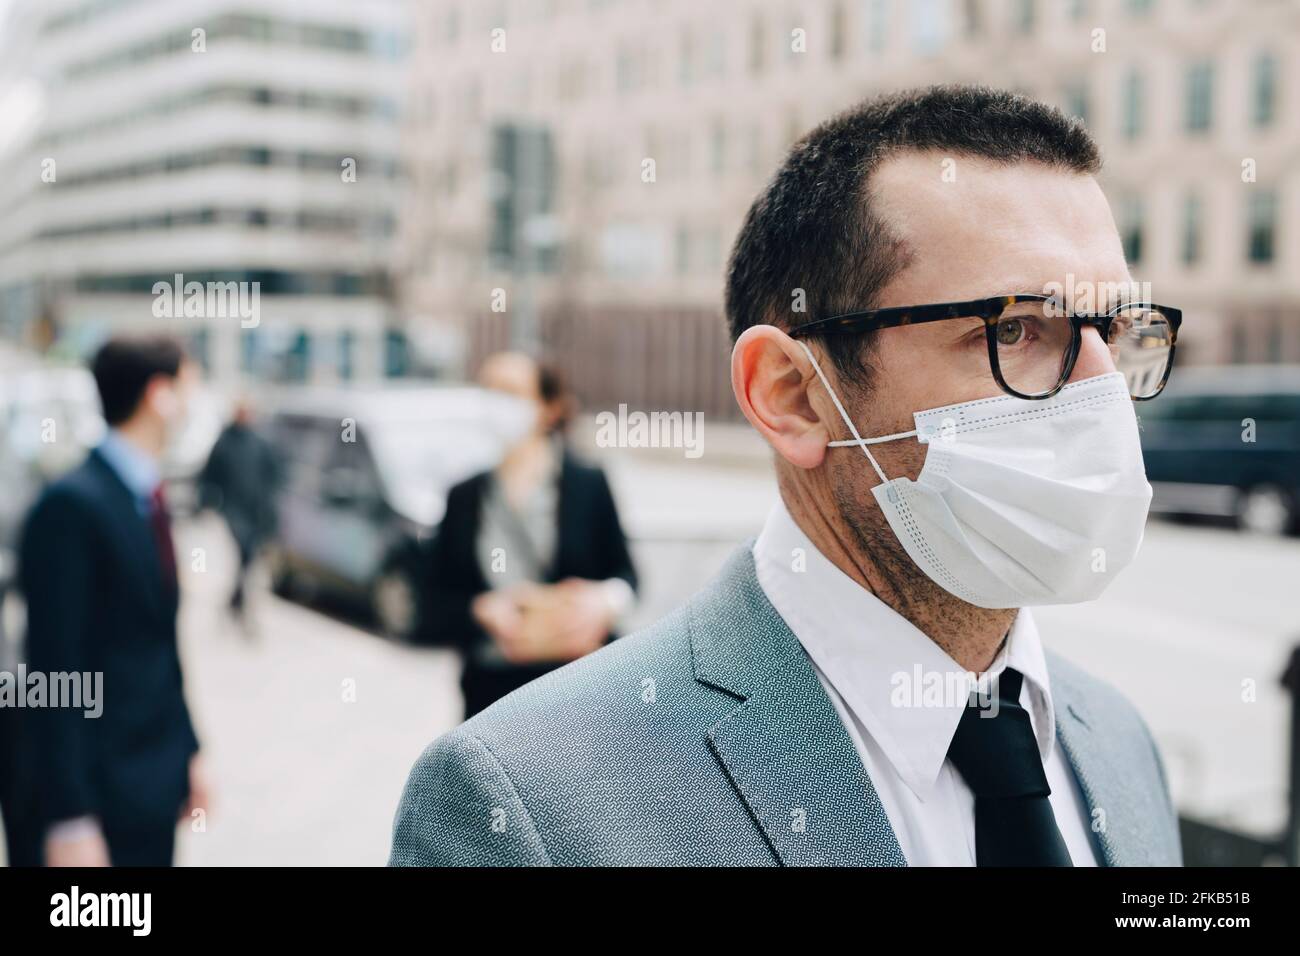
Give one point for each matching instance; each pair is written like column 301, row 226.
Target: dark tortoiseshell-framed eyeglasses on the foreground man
column 1034, row 343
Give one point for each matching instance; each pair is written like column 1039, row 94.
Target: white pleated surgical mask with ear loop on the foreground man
column 1021, row 503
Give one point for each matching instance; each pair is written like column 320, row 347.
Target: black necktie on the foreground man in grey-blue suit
column 999, row 759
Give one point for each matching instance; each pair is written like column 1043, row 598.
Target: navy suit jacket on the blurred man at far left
column 98, row 602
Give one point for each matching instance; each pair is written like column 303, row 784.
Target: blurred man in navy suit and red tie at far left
column 99, row 573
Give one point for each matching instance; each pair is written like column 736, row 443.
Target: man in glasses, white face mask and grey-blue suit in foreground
column 954, row 444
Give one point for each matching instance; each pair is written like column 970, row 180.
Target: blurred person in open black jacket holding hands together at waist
column 531, row 568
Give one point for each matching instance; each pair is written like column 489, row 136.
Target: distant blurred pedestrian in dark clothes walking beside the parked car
column 241, row 481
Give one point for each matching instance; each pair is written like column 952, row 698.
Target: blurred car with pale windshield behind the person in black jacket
column 367, row 474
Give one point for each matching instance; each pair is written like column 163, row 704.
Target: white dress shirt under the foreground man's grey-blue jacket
column 877, row 668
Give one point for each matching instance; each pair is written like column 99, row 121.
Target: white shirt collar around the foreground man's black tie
column 890, row 674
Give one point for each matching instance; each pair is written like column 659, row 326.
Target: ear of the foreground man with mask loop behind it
column 772, row 377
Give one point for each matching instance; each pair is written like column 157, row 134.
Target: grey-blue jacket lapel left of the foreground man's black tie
column 785, row 747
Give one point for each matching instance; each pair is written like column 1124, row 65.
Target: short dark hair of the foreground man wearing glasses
column 813, row 227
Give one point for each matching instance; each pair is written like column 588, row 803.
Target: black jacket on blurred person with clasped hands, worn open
column 590, row 544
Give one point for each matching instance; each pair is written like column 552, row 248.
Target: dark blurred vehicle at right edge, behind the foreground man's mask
column 1227, row 442
